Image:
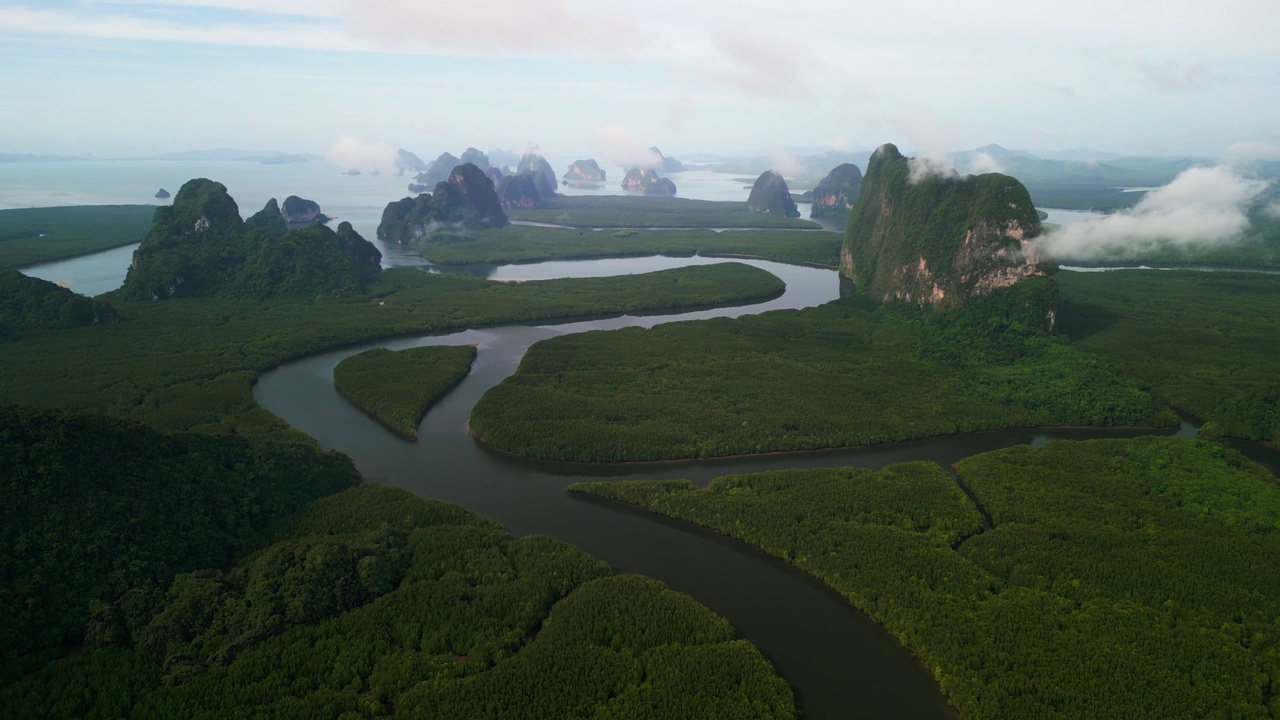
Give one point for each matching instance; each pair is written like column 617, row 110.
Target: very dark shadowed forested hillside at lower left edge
column 99, row 508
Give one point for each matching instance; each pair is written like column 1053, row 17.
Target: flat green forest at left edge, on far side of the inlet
column 40, row 235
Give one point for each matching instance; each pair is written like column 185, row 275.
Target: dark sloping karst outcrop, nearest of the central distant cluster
column 468, row 199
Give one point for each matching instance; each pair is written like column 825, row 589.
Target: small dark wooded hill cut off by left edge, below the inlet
column 33, row 304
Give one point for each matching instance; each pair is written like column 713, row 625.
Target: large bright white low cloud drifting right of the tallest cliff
column 1201, row 208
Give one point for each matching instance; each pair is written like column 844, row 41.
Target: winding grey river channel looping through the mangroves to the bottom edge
column 839, row 662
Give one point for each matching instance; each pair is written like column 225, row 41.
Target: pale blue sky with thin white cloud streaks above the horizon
column 605, row 79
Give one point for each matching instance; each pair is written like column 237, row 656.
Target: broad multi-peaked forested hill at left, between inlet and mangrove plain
column 200, row 247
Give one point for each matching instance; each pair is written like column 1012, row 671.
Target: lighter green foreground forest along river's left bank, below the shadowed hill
column 377, row 604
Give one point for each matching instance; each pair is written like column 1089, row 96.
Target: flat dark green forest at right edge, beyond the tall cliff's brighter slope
column 1203, row 343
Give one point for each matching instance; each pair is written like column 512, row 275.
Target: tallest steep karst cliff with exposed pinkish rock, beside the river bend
column 938, row 240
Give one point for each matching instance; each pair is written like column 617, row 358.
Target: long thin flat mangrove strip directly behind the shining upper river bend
column 525, row 244
